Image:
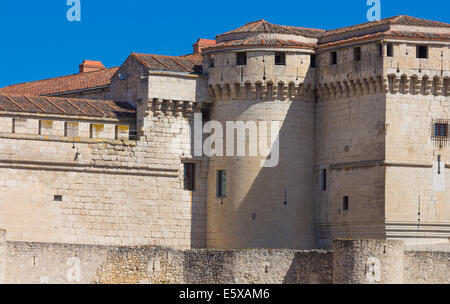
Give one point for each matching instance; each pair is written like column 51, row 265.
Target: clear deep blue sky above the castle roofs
column 39, row 42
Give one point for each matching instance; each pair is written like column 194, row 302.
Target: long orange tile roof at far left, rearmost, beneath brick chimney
column 63, row 84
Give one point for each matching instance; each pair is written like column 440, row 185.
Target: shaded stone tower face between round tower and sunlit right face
column 350, row 145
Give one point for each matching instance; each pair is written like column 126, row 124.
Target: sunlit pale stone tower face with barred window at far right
column 417, row 189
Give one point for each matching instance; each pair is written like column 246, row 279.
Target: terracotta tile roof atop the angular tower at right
column 397, row 20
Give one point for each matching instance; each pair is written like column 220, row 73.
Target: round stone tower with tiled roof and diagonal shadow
column 262, row 74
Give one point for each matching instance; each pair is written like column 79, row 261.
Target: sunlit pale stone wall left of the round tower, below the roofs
column 99, row 189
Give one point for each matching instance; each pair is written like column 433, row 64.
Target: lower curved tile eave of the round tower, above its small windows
column 260, row 42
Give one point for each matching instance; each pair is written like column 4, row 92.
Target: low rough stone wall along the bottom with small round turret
column 357, row 262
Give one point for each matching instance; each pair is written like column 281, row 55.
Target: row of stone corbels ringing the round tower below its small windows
column 261, row 91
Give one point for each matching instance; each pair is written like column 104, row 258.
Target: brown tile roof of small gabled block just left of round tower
column 170, row 63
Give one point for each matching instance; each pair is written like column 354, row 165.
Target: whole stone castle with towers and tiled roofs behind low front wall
column 106, row 156
